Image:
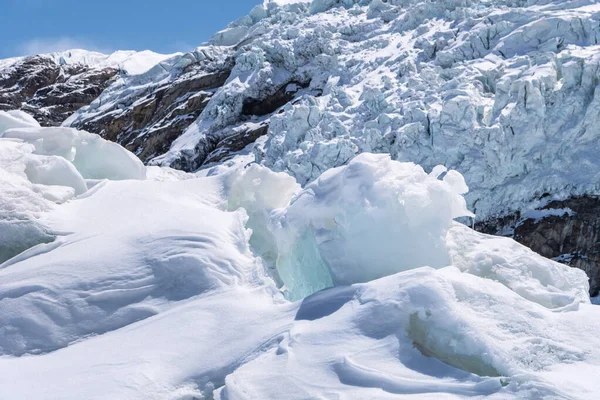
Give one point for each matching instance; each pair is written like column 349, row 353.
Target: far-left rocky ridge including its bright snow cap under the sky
column 53, row 86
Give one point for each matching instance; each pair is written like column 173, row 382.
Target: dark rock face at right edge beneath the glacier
column 567, row 231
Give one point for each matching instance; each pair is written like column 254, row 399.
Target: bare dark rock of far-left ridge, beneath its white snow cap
column 49, row 91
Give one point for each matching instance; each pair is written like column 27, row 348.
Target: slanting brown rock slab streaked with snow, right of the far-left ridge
column 147, row 113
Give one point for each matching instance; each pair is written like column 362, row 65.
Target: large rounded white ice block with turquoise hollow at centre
column 371, row 218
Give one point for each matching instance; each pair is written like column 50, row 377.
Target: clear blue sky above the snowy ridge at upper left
column 164, row 26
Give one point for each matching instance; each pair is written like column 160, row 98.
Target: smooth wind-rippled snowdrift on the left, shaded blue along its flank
column 135, row 249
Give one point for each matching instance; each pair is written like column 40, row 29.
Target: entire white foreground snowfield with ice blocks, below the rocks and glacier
column 128, row 282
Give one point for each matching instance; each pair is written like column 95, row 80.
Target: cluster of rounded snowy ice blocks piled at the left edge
column 43, row 167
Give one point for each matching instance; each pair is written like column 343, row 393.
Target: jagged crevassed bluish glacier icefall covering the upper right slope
column 503, row 91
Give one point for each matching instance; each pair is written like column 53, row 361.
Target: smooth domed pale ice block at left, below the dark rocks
column 94, row 157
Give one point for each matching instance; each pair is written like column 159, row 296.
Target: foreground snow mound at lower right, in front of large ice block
column 429, row 334
